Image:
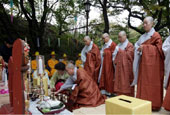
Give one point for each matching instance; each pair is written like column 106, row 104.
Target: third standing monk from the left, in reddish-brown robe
column 123, row 64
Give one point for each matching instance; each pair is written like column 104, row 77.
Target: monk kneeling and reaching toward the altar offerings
column 85, row 92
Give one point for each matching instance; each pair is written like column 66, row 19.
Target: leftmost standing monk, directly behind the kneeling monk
column 90, row 55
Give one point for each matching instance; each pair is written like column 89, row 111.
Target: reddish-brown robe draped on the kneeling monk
column 86, row 93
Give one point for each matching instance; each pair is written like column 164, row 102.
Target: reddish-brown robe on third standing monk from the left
column 123, row 71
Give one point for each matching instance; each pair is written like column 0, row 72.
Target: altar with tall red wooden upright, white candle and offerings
column 30, row 96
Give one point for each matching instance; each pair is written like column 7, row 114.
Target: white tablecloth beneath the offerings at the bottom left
column 33, row 109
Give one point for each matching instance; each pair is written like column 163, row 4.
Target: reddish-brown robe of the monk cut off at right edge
column 166, row 102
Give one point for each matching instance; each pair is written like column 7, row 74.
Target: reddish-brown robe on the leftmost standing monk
column 93, row 61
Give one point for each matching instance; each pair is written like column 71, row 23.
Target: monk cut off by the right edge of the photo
column 166, row 49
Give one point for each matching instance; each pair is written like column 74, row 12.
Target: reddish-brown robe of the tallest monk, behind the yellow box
column 151, row 72
